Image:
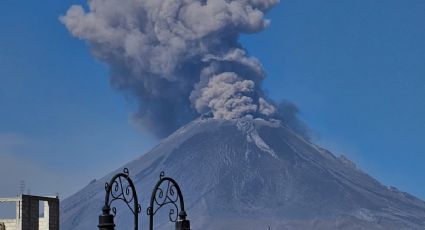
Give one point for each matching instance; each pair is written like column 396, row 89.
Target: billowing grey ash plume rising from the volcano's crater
column 180, row 58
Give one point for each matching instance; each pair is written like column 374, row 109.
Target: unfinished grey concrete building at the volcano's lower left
column 28, row 213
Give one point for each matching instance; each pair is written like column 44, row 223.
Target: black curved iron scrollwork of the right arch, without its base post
column 166, row 193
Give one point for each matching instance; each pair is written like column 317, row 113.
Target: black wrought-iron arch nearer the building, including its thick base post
column 119, row 191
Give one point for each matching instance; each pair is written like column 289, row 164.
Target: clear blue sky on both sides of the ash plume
column 356, row 69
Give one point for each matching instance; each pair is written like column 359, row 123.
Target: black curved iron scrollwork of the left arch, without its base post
column 117, row 189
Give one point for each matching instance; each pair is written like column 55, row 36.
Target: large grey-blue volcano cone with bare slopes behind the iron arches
column 252, row 174
